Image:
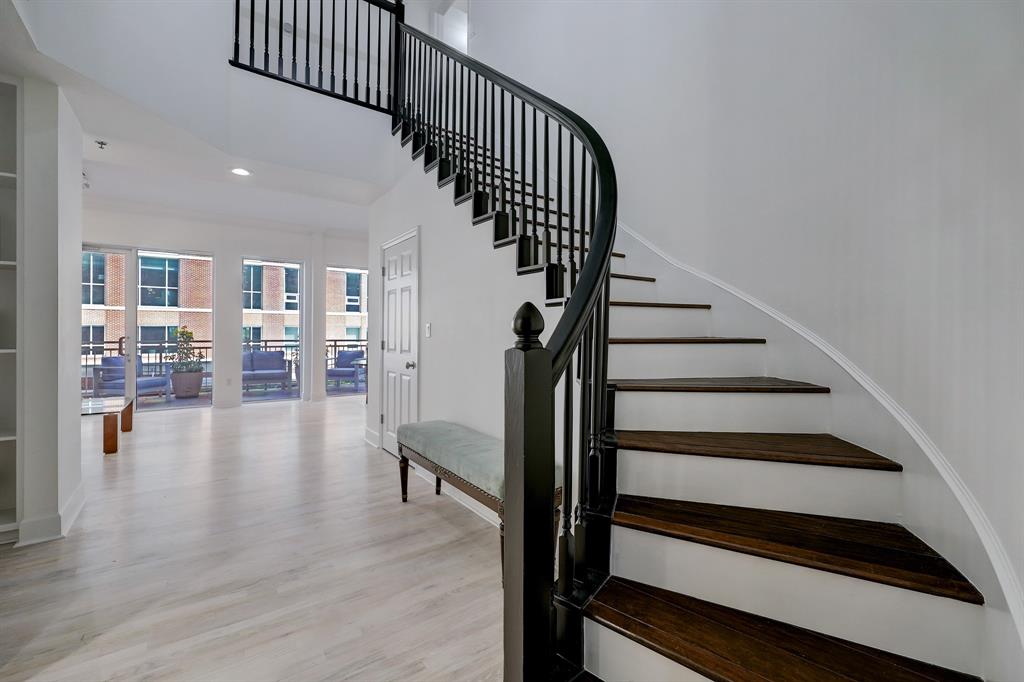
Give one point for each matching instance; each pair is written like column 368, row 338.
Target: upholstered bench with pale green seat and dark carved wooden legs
column 471, row 461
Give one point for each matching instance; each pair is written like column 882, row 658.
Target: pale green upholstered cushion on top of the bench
column 474, row 456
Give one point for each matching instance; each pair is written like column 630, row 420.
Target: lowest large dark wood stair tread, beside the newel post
column 730, row 646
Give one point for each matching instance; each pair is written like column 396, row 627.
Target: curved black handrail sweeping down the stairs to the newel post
column 584, row 299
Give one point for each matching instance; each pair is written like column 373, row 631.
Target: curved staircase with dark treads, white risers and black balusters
column 734, row 538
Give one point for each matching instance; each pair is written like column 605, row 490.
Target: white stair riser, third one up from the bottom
column 798, row 488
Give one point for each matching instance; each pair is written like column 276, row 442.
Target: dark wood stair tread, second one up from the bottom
column 885, row 553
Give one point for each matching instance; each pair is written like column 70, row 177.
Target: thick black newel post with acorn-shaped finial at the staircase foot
column 530, row 474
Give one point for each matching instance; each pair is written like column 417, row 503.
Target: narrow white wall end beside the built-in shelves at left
column 51, row 462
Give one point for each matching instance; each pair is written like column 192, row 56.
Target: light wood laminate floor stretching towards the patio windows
column 264, row 543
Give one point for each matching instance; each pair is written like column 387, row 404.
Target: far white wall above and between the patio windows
column 149, row 228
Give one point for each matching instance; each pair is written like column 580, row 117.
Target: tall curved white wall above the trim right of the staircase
column 857, row 166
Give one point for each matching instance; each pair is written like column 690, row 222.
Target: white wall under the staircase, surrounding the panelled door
column 468, row 294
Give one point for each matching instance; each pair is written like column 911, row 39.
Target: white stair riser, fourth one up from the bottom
column 776, row 413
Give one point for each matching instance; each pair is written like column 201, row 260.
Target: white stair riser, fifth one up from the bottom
column 656, row 361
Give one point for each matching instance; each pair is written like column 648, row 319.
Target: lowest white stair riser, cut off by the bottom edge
column 615, row 658
